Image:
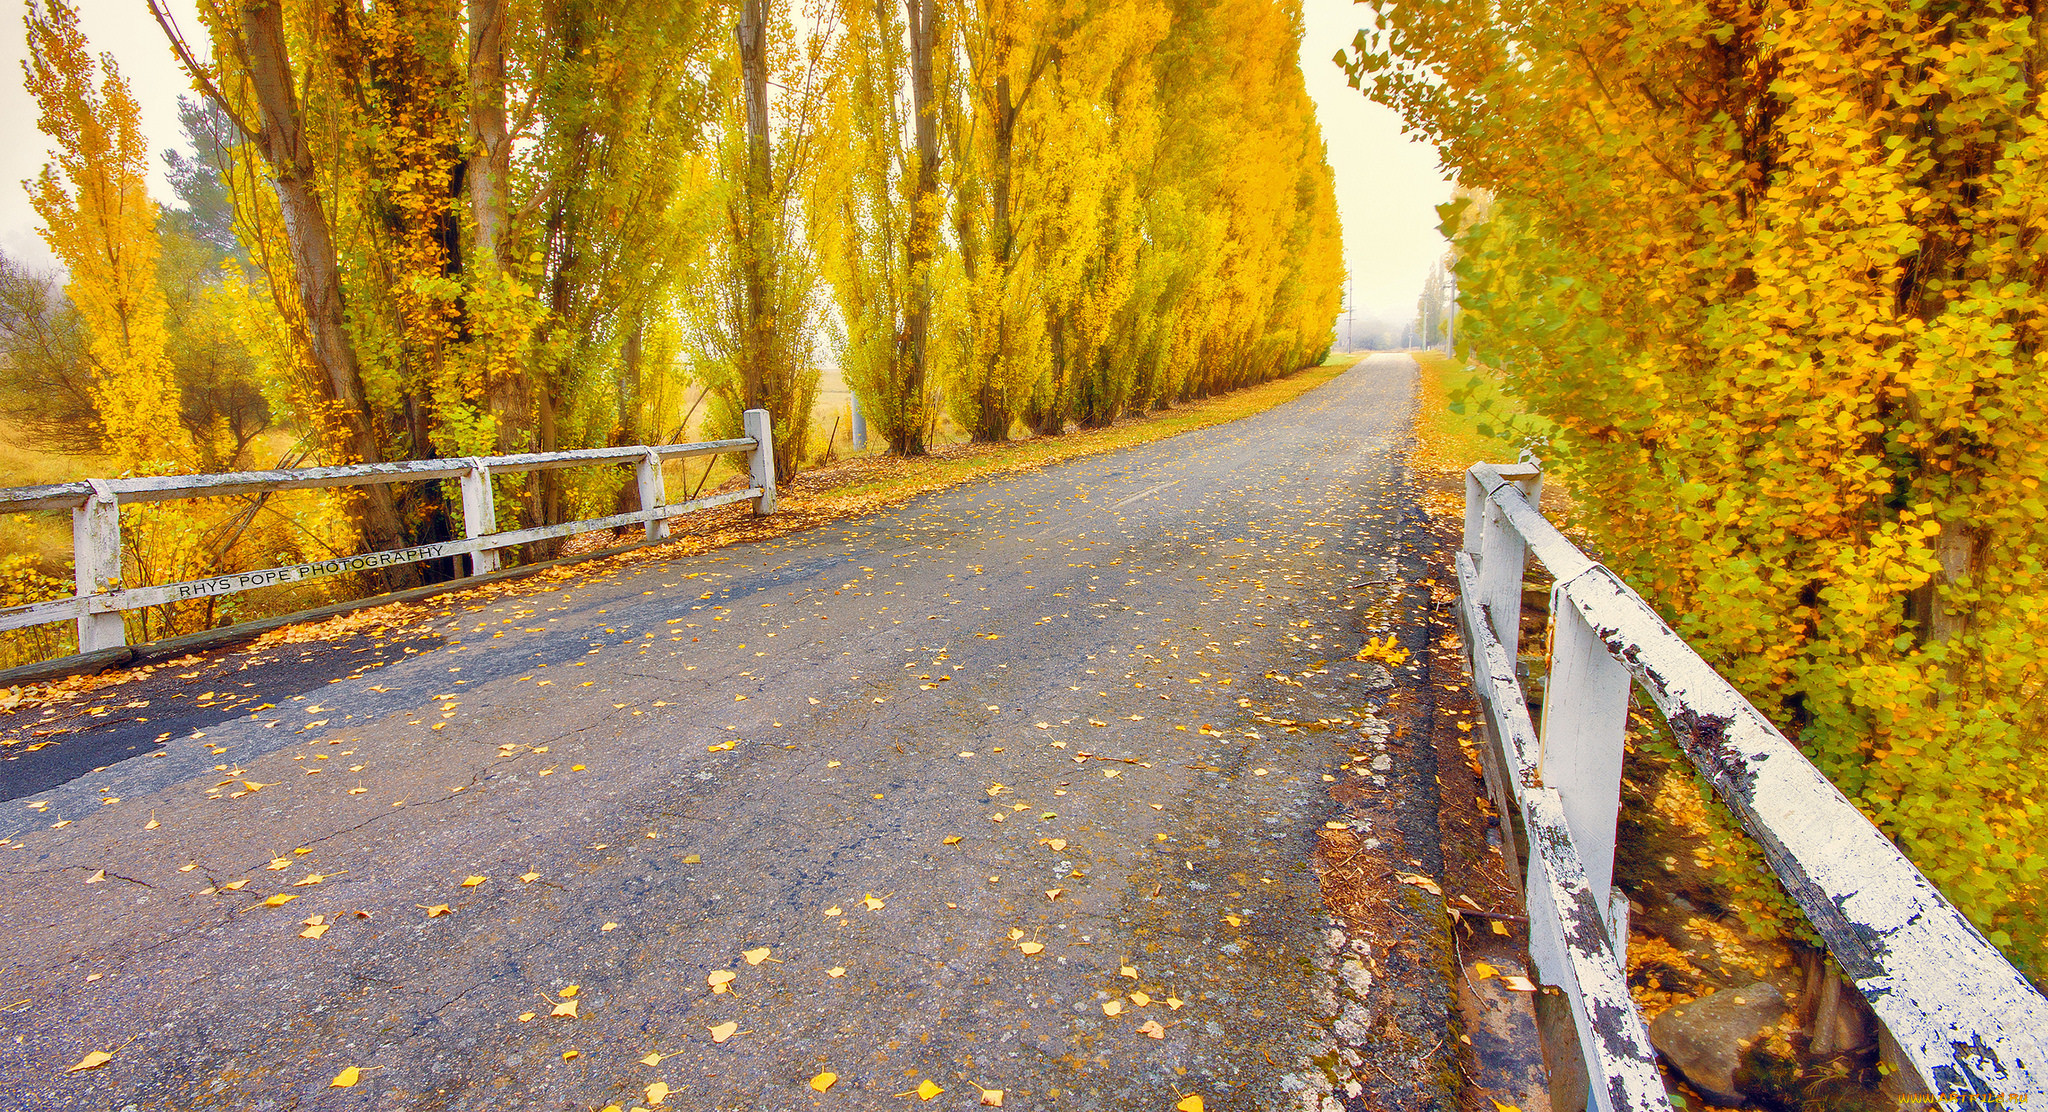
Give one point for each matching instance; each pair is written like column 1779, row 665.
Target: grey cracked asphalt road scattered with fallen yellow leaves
column 996, row 781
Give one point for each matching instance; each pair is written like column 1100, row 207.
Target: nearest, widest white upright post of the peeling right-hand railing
column 1580, row 749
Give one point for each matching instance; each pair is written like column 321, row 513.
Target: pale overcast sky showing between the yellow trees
column 1388, row 185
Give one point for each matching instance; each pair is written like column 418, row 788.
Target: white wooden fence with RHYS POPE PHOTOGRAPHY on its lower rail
column 97, row 521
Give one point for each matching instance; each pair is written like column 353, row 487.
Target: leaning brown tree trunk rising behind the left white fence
column 316, row 267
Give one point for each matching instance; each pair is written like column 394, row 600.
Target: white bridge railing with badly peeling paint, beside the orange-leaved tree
column 1961, row 1017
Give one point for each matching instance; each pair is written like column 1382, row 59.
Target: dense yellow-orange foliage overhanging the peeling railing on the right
column 1770, row 282
